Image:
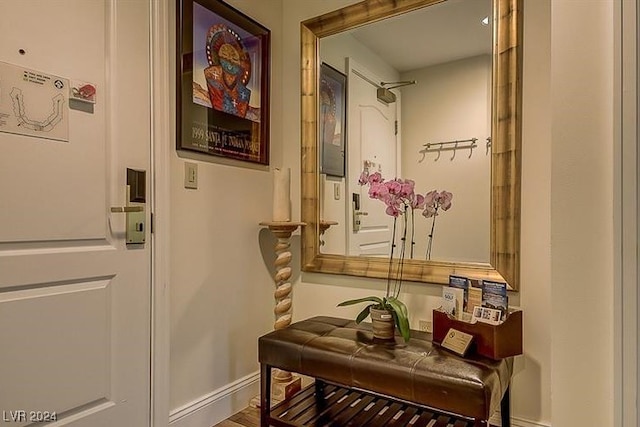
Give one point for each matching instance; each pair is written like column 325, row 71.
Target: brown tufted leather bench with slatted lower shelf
column 343, row 353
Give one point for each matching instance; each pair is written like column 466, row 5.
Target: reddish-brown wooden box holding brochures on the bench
column 492, row 341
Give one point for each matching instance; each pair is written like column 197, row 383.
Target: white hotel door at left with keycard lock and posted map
column 74, row 297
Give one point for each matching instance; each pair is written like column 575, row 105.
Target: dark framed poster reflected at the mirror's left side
column 332, row 120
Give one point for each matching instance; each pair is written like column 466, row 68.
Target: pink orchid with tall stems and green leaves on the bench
column 401, row 201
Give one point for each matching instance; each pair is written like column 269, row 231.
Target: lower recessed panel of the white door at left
column 69, row 347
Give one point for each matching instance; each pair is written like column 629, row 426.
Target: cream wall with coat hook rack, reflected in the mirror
column 451, row 101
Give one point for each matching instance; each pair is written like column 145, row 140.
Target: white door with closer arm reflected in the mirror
column 372, row 145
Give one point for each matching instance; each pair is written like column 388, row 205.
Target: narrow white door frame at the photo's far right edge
column 626, row 197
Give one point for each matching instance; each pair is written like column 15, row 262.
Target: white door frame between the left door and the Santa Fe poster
column 161, row 149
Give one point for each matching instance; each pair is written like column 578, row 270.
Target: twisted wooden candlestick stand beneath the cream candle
column 282, row 230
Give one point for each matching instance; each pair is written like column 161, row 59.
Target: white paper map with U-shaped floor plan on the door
column 33, row 103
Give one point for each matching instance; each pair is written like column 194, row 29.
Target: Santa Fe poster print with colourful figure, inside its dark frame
column 226, row 79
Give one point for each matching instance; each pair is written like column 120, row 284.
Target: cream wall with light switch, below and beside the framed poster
column 221, row 288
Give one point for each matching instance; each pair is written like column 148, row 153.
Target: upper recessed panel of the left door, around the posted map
column 66, row 39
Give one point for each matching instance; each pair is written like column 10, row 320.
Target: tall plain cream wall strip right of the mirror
column 582, row 211
